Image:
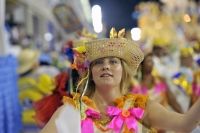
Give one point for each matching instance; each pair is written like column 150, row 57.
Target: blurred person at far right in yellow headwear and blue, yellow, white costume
column 183, row 78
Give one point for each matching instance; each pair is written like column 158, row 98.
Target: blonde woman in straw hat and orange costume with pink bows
column 105, row 105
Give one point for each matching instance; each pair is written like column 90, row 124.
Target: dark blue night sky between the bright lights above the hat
column 118, row 13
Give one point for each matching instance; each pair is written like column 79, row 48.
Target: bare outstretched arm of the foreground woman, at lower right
column 158, row 117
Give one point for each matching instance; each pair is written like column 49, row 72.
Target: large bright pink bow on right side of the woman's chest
column 118, row 120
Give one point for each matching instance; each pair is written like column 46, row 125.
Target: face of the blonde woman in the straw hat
column 107, row 72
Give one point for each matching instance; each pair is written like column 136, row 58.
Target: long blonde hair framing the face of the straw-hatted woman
column 125, row 85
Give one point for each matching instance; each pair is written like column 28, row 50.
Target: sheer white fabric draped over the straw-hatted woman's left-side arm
column 68, row 121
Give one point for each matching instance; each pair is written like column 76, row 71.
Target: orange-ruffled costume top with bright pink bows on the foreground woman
column 125, row 116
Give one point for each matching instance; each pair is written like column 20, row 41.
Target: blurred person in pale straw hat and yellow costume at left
column 36, row 80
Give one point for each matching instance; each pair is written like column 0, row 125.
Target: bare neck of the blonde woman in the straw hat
column 103, row 99
